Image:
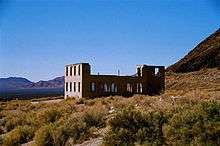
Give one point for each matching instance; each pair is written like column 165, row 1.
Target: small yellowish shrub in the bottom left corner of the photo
column 19, row 135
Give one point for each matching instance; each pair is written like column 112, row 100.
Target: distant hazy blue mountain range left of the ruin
column 22, row 83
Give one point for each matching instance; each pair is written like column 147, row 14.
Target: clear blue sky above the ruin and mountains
column 39, row 37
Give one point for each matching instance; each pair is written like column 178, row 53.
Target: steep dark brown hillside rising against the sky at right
column 204, row 55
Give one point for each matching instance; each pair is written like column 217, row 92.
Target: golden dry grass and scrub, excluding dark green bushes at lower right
column 182, row 91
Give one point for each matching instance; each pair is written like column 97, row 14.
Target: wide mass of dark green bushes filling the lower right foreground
column 188, row 125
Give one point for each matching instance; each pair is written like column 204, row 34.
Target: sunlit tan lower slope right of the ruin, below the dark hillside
column 205, row 79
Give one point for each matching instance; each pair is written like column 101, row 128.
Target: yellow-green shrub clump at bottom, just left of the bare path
column 55, row 134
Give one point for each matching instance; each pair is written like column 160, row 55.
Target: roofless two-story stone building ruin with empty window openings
column 79, row 82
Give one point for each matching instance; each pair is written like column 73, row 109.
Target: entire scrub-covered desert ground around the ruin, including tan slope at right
column 184, row 115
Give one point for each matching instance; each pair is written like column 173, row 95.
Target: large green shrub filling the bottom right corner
column 199, row 125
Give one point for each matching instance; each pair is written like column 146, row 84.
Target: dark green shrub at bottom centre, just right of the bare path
column 132, row 126
